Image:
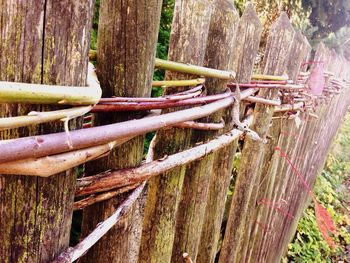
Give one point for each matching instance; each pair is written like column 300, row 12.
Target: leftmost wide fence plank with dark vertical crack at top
column 41, row 42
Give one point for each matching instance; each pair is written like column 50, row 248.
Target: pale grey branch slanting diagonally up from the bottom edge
column 72, row 254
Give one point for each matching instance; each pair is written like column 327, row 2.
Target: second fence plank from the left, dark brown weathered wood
column 126, row 49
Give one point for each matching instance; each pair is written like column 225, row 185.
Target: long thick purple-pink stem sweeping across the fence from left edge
column 50, row 144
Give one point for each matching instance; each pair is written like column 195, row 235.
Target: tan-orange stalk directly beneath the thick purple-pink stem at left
column 50, row 165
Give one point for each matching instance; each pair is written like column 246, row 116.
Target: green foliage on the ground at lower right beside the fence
column 308, row 244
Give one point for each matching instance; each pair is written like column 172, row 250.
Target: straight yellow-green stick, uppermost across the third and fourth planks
column 195, row 70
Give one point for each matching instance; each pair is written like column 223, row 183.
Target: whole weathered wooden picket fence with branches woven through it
column 178, row 215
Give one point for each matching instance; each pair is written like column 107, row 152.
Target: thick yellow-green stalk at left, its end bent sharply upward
column 15, row 92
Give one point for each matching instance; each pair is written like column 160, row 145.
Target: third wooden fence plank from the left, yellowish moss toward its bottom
column 187, row 44
